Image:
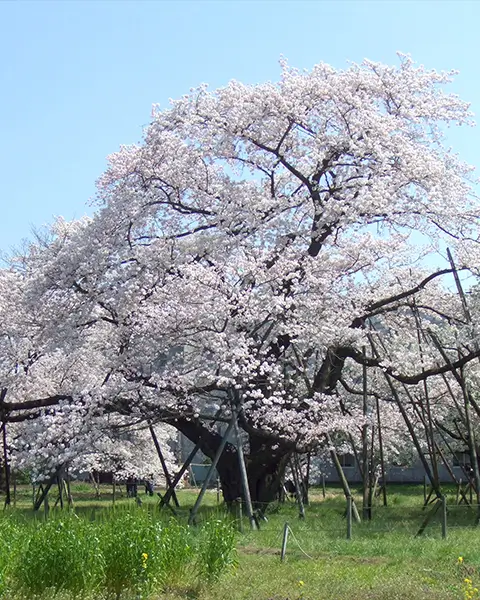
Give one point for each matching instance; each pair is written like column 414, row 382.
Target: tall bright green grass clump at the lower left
column 125, row 554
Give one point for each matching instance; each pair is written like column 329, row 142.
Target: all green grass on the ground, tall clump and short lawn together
column 383, row 560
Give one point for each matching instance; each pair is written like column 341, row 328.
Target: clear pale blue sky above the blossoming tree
column 78, row 78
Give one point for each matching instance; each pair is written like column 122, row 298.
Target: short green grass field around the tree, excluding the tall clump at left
column 383, row 560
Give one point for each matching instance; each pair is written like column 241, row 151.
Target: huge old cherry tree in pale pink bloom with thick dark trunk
column 242, row 253
